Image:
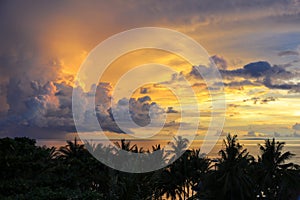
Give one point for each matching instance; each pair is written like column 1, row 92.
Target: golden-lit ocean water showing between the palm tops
column 251, row 144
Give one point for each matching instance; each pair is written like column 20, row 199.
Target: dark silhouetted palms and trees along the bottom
column 28, row 171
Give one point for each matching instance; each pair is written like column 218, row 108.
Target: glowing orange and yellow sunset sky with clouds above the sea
column 254, row 44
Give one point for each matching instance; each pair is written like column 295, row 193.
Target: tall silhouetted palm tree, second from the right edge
column 232, row 179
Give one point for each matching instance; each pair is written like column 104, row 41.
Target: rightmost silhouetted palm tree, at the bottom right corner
column 276, row 178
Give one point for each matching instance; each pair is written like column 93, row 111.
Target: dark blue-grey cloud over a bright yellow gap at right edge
column 259, row 73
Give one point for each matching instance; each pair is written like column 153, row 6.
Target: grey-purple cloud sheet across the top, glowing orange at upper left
column 24, row 51
